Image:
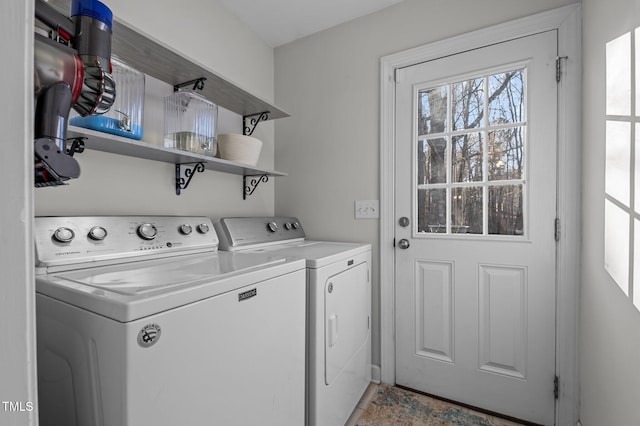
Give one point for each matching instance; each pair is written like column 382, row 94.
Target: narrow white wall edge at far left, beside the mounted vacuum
column 17, row 297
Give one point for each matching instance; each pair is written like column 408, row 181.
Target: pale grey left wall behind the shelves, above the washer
column 114, row 184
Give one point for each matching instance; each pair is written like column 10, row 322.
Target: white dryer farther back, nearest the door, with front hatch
column 338, row 309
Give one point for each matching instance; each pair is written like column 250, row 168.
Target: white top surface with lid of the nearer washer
column 126, row 292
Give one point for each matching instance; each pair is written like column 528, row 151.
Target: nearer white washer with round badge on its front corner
column 141, row 321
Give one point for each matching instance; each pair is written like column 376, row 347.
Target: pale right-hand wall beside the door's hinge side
column 610, row 323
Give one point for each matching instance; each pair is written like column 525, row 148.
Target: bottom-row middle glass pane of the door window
column 466, row 210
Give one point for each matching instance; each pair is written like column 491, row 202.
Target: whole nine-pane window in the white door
column 471, row 155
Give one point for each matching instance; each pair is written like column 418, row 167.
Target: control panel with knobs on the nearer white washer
column 84, row 239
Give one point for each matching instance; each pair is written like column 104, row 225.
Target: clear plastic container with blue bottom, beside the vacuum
column 125, row 116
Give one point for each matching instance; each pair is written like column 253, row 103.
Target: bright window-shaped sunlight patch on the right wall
column 622, row 170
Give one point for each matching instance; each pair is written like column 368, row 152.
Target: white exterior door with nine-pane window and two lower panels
column 475, row 213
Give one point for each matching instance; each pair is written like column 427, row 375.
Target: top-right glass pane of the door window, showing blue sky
column 506, row 97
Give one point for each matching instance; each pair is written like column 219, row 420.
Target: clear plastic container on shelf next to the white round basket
column 190, row 123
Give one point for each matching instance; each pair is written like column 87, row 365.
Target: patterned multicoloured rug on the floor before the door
column 392, row 406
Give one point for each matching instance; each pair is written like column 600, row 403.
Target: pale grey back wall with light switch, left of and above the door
column 329, row 82
